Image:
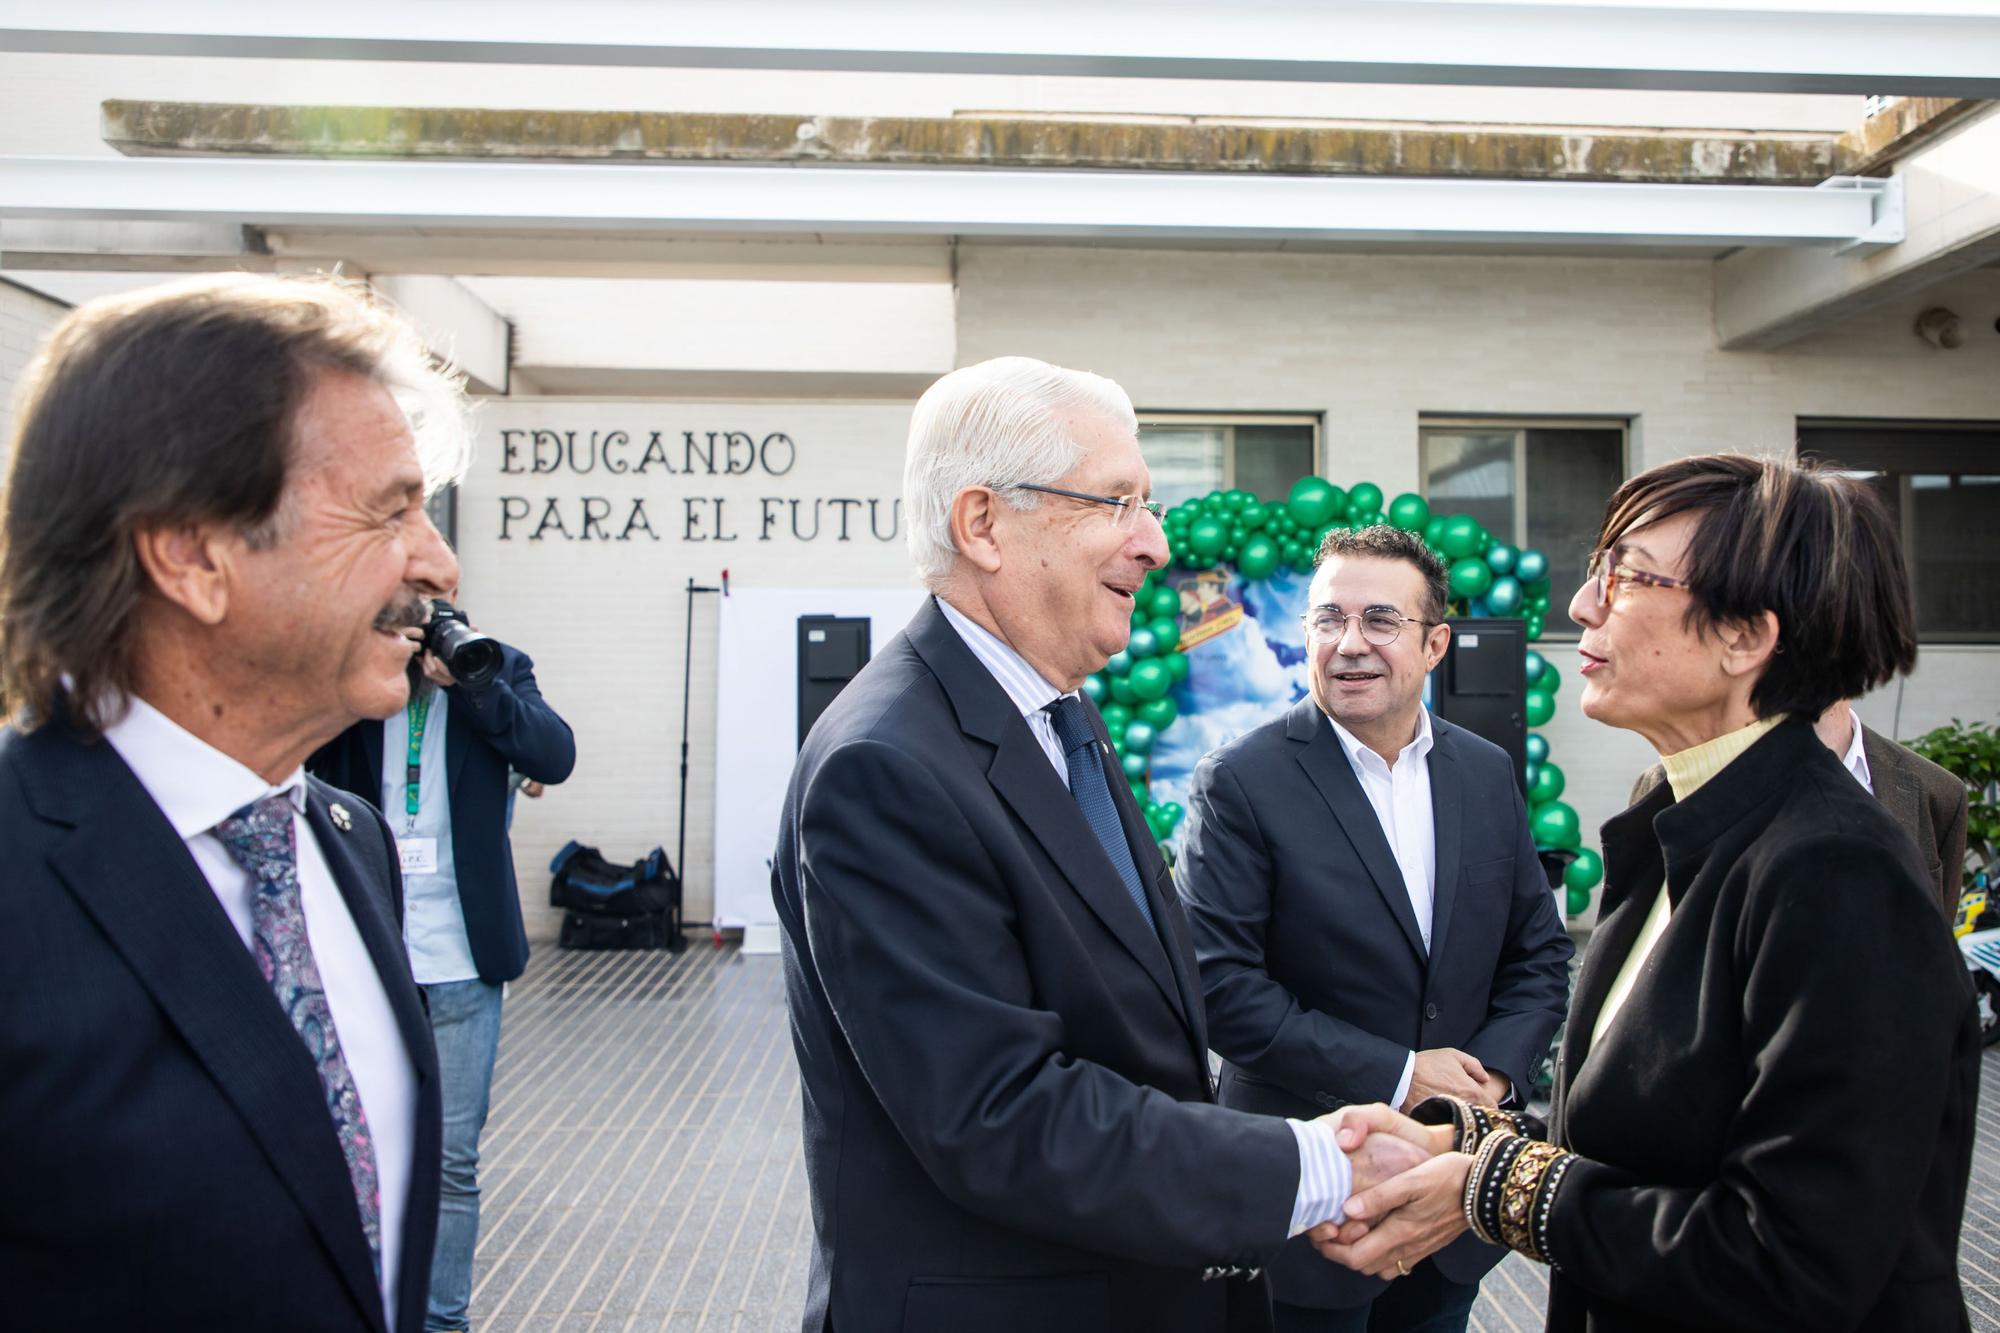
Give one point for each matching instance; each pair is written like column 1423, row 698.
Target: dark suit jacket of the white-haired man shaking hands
column 1007, row 1102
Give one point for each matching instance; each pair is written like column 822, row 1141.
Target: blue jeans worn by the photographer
column 465, row 1022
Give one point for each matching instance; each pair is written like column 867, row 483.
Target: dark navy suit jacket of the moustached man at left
column 165, row 1144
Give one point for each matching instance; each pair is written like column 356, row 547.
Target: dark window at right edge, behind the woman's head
column 1943, row 487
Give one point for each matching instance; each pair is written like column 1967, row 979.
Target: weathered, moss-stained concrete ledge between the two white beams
column 1179, row 145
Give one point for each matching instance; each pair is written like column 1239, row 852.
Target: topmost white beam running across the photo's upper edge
column 1917, row 47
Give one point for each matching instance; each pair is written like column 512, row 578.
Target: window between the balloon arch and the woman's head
column 1531, row 483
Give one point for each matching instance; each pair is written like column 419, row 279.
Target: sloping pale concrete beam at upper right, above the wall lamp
column 1767, row 299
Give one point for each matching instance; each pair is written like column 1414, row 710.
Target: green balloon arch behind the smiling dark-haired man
column 1241, row 533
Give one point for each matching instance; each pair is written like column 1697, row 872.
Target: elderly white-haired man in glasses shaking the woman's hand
column 999, row 1028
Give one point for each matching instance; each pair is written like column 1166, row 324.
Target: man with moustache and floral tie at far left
column 221, row 1102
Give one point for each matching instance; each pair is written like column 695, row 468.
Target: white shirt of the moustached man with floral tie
column 197, row 788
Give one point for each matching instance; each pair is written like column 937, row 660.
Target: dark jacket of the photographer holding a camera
column 493, row 730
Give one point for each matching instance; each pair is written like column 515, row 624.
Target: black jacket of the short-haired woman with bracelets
column 1777, row 1128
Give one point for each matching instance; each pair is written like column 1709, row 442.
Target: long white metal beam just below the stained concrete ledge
column 939, row 203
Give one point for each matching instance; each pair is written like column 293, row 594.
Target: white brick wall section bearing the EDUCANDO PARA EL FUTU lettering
column 607, row 621
